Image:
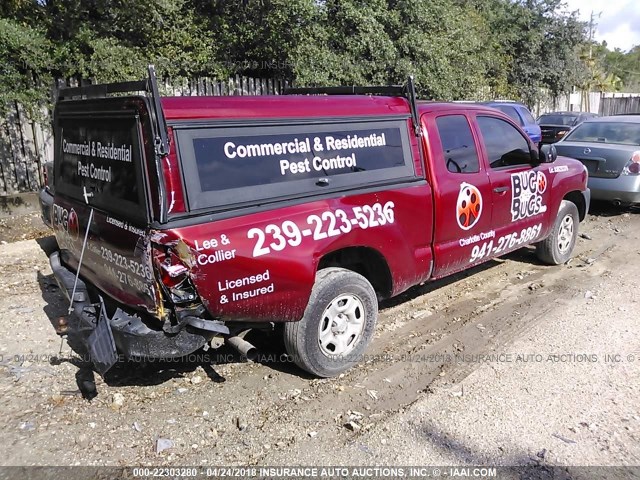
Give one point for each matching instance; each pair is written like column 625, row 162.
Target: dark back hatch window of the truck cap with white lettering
column 102, row 156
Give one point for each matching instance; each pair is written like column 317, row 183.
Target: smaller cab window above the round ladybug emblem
column 457, row 144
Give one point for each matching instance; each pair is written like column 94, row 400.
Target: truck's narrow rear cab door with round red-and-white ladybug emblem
column 461, row 188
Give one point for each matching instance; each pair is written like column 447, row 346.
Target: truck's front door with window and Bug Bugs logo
column 519, row 187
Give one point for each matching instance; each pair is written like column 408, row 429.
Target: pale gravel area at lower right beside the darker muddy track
column 566, row 392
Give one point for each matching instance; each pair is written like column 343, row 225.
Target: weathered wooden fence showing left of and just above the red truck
column 25, row 144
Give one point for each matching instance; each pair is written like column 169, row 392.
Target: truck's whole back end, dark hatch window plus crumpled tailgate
column 102, row 156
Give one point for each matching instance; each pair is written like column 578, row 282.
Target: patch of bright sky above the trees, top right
column 618, row 22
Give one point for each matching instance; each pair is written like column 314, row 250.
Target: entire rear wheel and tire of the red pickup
column 337, row 326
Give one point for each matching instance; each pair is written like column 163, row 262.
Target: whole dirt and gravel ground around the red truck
column 511, row 363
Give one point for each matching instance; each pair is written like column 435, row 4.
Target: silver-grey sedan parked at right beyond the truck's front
column 610, row 149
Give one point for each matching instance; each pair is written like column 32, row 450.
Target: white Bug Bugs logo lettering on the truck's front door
column 527, row 189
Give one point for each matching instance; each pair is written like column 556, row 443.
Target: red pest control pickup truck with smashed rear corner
column 182, row 221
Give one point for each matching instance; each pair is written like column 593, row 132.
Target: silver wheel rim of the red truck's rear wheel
column 341, row 325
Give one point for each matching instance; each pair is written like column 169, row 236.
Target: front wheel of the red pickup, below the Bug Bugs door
column 557, row 248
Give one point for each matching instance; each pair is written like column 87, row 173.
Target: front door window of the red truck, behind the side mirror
column 504, row 144
